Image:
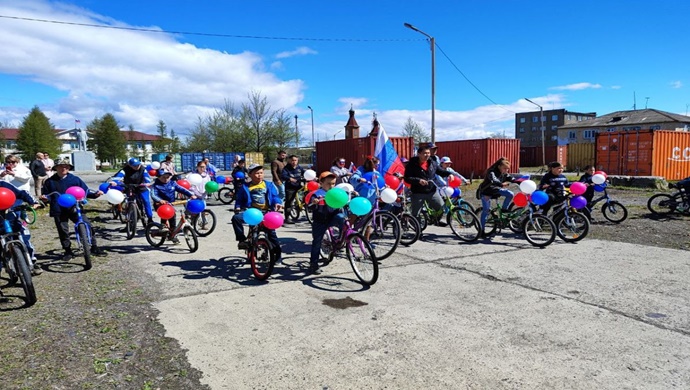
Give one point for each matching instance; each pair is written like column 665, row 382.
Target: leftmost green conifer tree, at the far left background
column 36, row 134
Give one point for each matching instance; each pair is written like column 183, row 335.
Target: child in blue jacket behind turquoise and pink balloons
column 259, row 194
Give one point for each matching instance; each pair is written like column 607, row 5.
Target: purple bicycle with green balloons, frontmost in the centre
column 357, row 249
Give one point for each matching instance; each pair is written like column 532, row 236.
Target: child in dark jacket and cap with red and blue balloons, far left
column 57, row 185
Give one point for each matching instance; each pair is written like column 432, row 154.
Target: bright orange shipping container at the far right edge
column 644, row 153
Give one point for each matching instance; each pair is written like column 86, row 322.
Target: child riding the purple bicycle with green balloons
column 324, row 217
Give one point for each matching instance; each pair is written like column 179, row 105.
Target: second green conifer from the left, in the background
column 106, row 139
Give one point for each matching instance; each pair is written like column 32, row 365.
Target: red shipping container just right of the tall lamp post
column 471, row 158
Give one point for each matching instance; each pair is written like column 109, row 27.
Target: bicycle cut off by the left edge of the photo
column 15, row 258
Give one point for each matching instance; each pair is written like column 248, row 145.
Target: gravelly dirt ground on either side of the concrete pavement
column 98, row 329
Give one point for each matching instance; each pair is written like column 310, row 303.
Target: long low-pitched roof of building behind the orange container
column 628, row 118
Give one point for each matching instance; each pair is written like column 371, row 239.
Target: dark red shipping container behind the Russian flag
column 355, row 150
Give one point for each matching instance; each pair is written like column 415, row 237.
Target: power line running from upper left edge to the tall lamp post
column 206, row 34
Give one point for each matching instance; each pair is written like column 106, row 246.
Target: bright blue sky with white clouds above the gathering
column 179, row 61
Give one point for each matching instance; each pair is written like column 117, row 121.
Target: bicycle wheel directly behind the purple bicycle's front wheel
column 384, row 231
